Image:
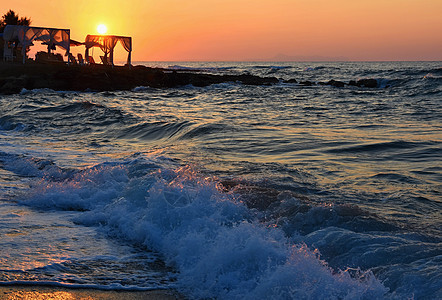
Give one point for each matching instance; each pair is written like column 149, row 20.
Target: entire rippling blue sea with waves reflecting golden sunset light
column 230, row 191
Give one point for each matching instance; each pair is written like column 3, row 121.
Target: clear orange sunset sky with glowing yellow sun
column 232, row 30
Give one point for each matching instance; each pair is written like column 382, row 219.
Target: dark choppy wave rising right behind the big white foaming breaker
column 297, row 213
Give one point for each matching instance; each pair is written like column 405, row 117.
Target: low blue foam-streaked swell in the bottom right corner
column 386, row 254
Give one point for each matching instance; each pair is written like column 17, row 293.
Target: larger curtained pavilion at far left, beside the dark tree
column 27, row 34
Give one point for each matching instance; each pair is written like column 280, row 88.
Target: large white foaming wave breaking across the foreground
column 216, row 244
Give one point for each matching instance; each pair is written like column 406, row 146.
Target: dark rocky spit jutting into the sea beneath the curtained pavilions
column 16, row 77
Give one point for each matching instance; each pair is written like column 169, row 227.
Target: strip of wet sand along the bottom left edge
column 37, row 292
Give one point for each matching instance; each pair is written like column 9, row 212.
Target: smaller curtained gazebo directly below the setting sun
column 107, row 44
